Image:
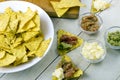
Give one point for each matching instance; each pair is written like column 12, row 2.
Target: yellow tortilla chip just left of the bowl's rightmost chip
column 34, row 43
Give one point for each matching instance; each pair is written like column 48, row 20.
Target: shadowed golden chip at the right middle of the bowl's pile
column 28, row 35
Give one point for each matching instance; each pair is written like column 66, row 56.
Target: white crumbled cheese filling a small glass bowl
column 92, row 51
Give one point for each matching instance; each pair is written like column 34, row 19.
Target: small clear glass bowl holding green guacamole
column 111, row 30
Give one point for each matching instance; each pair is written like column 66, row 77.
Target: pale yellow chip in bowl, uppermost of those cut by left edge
column 4, row 19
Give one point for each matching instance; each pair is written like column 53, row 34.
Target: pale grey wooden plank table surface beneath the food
column 108, row 69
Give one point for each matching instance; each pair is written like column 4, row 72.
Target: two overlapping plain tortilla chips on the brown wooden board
column 63, row 6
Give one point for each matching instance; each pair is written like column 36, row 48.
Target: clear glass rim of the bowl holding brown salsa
column 90, row 32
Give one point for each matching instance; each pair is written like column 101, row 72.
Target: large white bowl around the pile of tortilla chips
column 46, row 26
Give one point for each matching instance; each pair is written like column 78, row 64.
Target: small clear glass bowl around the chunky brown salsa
column 100, row 22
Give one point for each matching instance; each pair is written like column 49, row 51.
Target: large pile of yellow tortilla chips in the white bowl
column 21, row 38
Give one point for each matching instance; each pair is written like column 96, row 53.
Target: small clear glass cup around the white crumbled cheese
column 94, row 60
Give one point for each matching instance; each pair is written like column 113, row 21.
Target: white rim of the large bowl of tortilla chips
column 36, row 60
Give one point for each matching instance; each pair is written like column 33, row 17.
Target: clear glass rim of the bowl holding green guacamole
column 105, row 37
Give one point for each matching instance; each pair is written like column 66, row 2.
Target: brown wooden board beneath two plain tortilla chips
column 45, row 4
